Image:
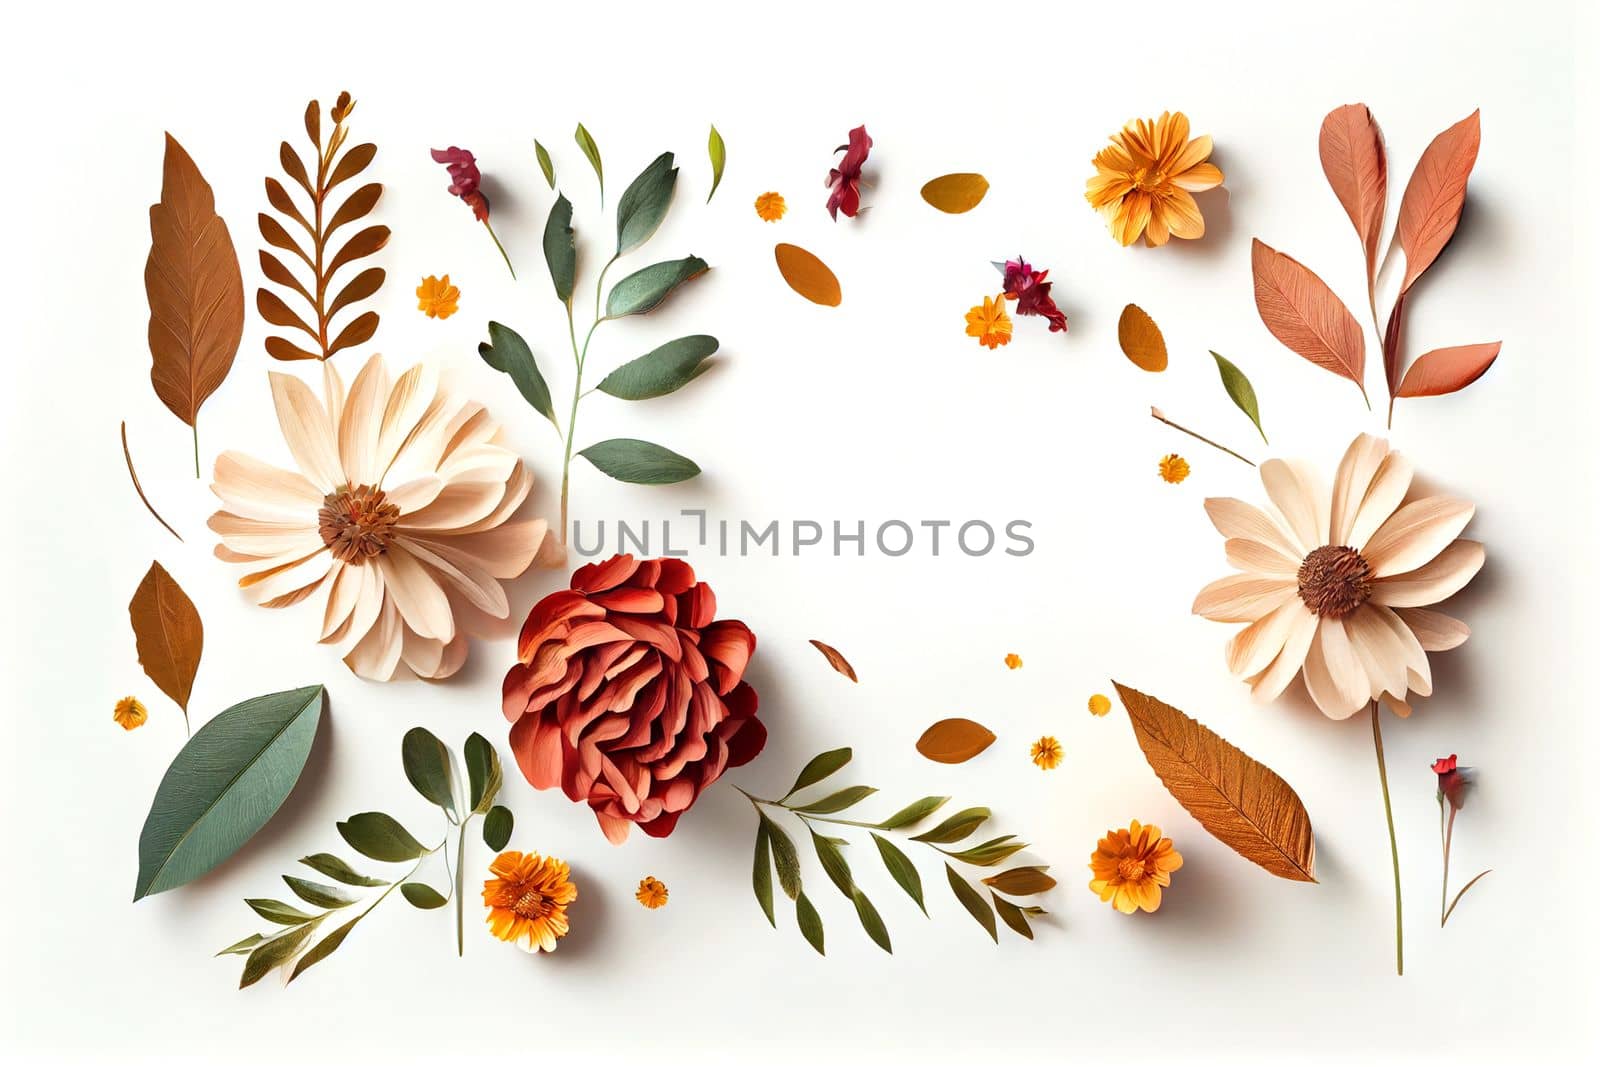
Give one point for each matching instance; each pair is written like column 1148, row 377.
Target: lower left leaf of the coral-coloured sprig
column 1303, row 313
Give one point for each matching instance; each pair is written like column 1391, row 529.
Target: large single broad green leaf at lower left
column 225, row 785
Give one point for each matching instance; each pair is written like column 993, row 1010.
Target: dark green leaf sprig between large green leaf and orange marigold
column 430, row 767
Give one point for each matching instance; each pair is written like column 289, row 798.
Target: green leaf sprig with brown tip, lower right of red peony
column 775, row 850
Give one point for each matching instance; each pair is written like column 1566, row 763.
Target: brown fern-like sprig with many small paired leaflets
column 308, row 234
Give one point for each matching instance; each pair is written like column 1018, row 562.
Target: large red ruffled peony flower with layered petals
column 631, row 695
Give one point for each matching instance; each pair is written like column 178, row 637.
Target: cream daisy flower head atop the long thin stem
column 1340, row 591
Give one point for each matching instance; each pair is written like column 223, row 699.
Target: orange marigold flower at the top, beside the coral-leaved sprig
column 1145, row 178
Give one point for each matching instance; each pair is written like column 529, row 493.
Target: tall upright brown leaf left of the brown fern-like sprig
column 196, row 292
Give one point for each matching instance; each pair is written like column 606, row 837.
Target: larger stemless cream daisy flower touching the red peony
column 399, row 519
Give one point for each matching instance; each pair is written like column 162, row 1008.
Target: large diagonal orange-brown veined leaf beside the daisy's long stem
column 1236, row 799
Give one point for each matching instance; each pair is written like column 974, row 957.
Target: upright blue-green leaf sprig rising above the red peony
column 660, row 372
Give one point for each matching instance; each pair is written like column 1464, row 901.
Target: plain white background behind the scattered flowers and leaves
column 876, row 410
